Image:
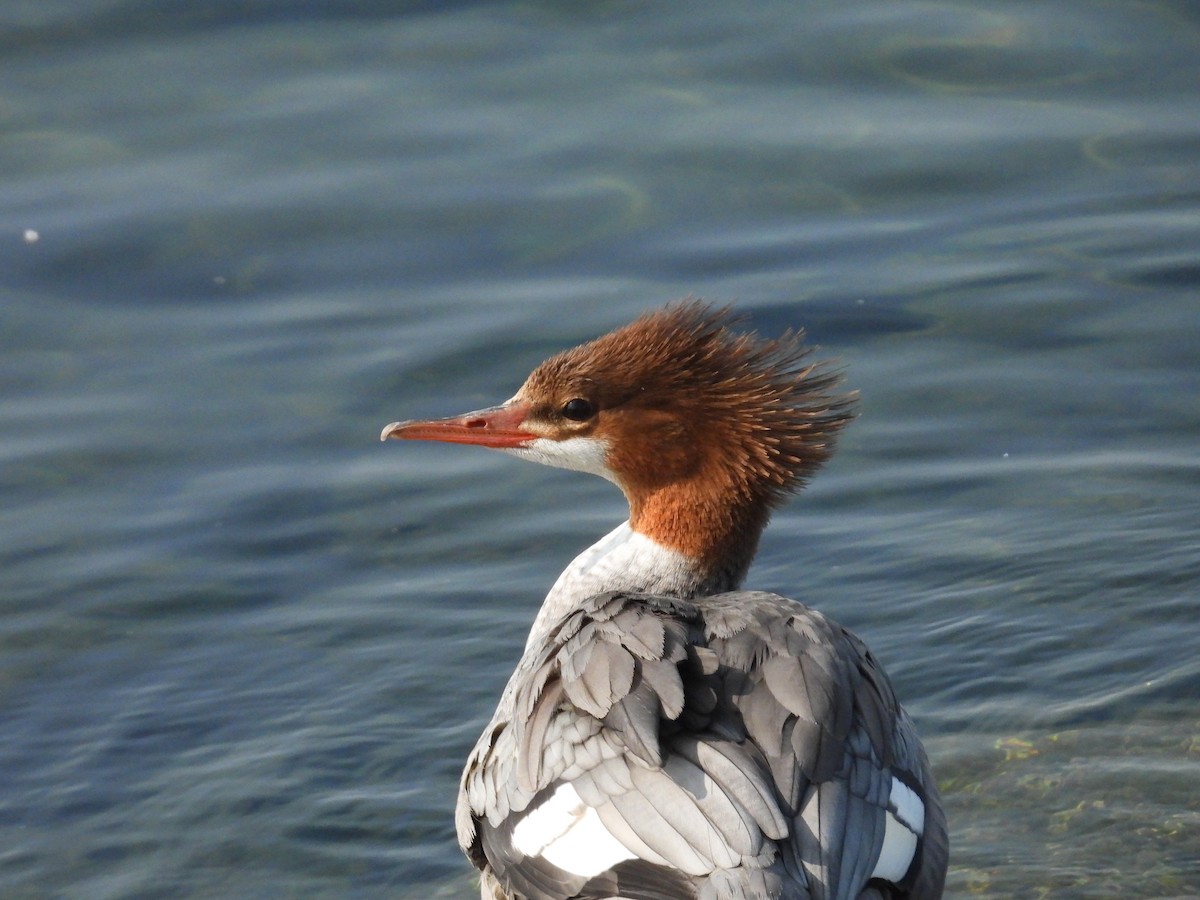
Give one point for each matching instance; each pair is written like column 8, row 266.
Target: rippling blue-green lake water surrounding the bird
column 245, row 647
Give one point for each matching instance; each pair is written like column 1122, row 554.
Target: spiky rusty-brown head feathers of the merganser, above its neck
column 691, row 397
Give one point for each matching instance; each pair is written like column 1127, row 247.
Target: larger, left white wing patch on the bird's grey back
column 568, row 833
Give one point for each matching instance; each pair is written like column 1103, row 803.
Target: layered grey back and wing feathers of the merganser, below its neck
column 736, row 746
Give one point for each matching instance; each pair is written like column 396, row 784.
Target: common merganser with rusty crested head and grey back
column 667, row 735
